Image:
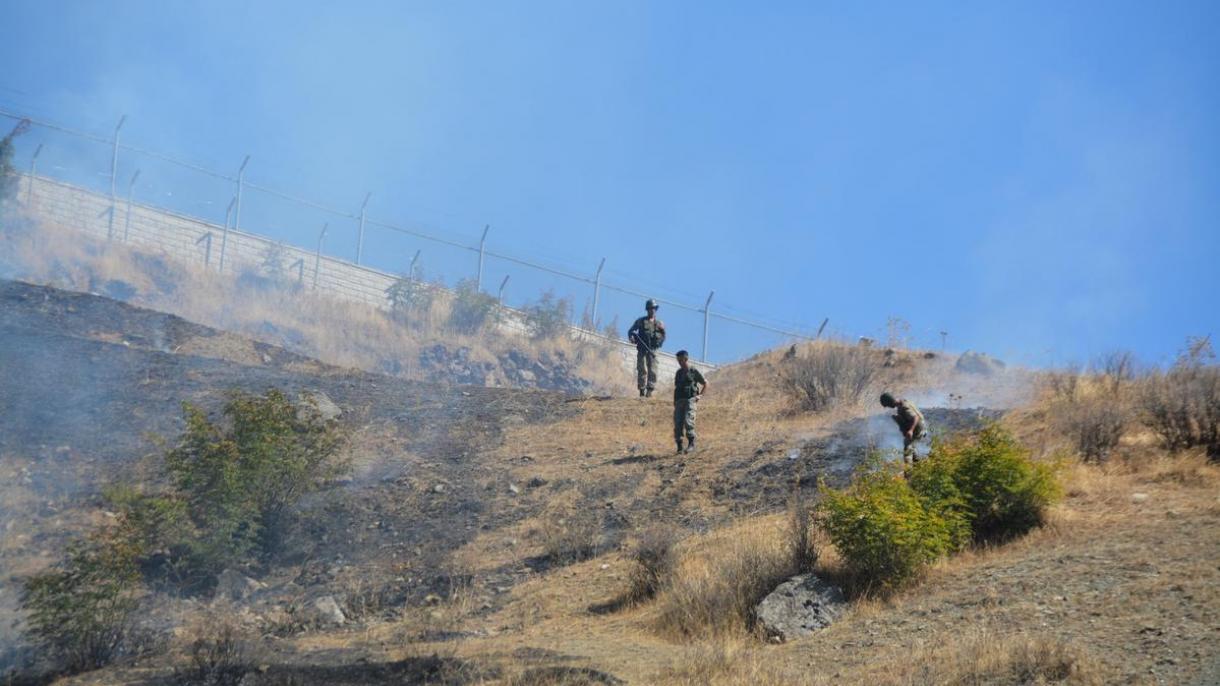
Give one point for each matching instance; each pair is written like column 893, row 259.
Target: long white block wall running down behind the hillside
column 186, row 239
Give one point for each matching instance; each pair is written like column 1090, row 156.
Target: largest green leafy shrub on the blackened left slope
column 232, row 484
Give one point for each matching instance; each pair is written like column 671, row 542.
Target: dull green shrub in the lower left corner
column 81, row 611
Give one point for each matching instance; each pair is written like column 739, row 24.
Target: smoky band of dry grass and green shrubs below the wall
column 423, row 333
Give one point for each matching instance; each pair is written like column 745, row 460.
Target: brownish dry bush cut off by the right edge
column 1183, row 406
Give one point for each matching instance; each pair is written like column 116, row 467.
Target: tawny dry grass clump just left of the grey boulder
column 716, row 593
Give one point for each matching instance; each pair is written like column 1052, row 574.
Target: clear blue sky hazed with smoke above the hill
column 1039, row 180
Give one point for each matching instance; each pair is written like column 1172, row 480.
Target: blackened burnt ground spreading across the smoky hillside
column 87, row 384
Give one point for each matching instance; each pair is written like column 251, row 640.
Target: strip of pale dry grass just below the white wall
column 336, row 331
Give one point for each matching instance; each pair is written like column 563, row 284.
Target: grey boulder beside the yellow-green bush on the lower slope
column 800, row 607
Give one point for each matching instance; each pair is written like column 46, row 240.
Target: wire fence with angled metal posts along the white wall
column 132, row 190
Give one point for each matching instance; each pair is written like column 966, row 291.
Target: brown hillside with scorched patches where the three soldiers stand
column 443, row 543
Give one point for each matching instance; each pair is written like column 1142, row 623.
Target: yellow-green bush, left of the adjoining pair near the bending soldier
column 884, row 530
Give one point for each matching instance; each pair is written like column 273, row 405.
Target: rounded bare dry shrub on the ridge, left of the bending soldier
column 830, row 375
